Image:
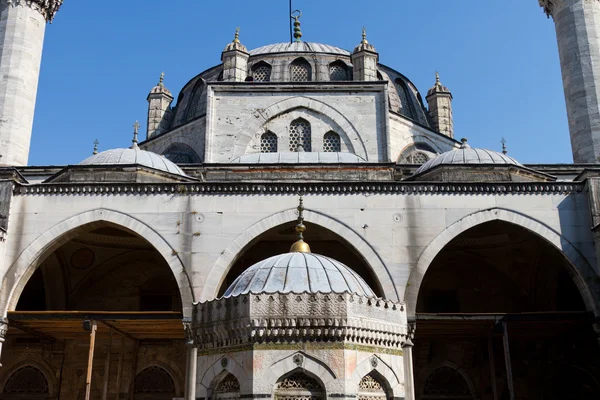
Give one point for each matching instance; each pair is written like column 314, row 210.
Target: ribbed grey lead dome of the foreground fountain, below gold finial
column 299, row 273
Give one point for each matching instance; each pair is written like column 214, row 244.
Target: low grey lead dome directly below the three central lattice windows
column 289, row 157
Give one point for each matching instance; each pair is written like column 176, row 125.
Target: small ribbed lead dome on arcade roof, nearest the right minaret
column 467, row 155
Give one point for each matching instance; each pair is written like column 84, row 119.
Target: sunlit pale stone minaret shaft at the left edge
column 22, row 28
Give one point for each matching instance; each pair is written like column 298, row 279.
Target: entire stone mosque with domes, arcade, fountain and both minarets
column 300, row 223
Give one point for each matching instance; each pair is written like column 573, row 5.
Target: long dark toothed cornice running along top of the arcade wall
column 222, row 188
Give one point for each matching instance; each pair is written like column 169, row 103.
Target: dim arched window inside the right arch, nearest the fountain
column 446, row 383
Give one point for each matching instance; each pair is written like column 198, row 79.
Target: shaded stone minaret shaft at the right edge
column 578, row 35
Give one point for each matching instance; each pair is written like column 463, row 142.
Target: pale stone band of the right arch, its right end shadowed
column 581, row 271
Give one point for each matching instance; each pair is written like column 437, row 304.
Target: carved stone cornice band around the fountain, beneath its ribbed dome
column 304, row 317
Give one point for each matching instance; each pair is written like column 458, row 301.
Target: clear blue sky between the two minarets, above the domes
column 499, row 58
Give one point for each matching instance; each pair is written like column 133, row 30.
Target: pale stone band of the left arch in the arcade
column 31, row 257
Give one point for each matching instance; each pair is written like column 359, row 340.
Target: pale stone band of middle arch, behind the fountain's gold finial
column 219, row 271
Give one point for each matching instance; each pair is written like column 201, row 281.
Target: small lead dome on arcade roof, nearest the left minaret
column 133, row 155
